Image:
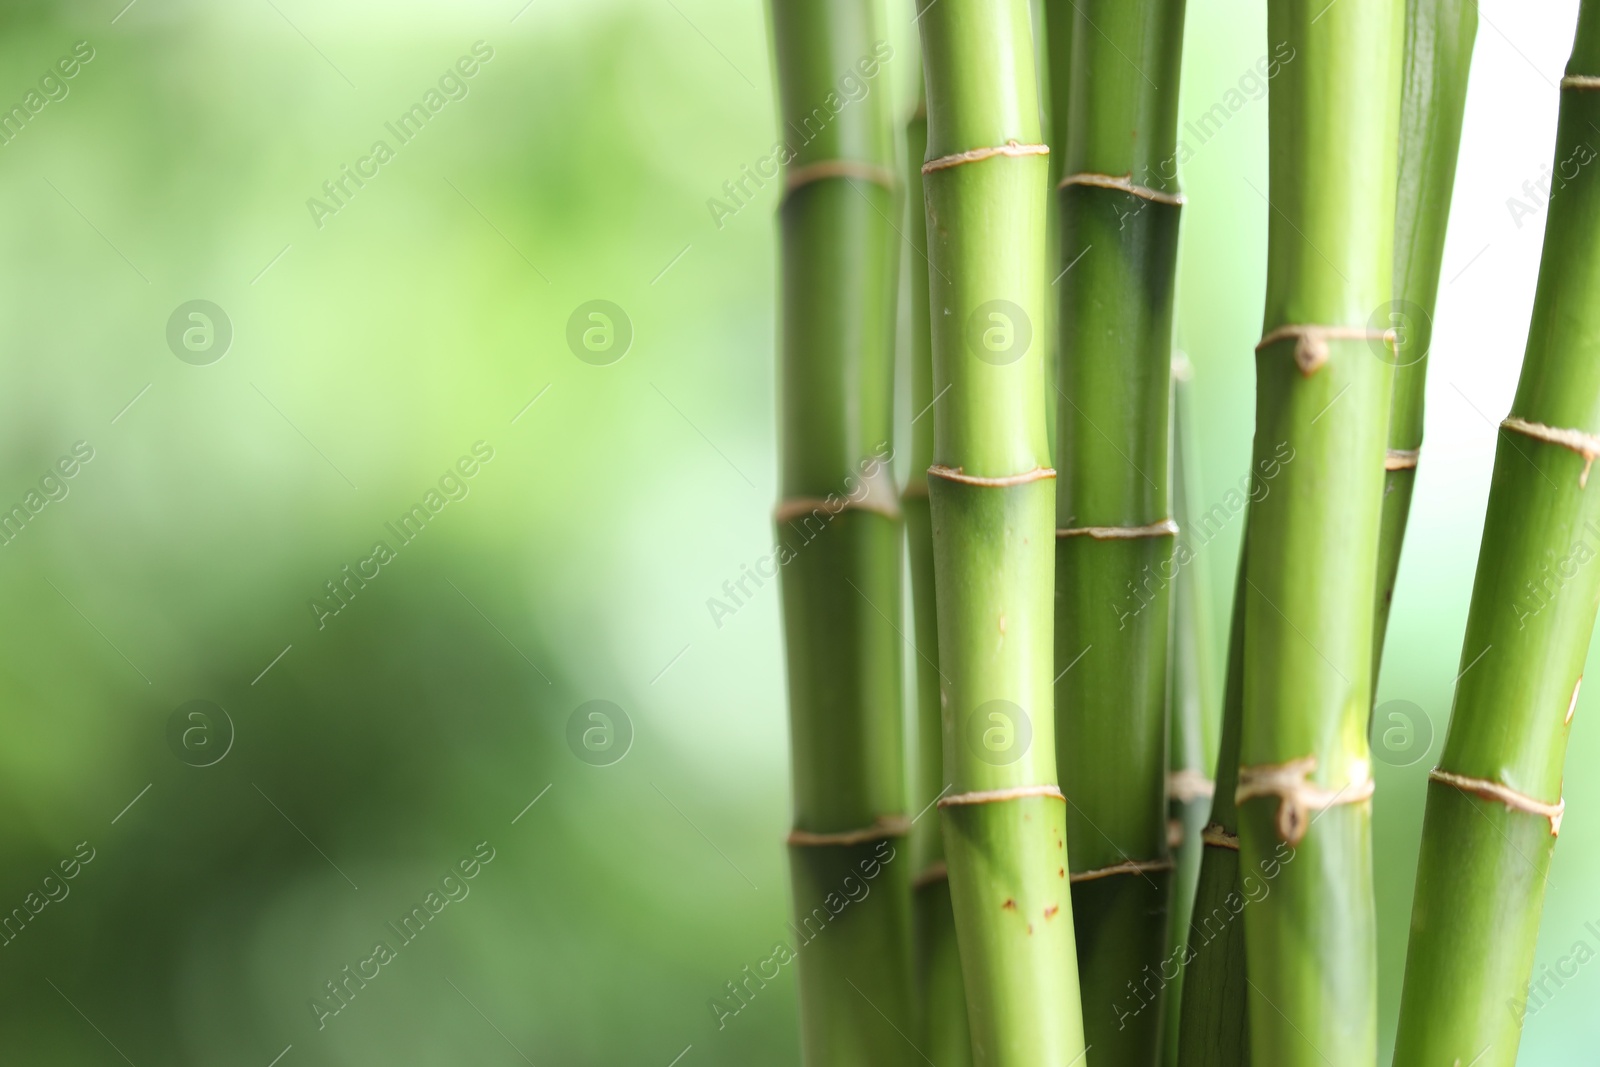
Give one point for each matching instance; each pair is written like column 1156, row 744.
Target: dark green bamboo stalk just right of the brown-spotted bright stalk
column 1119, row 212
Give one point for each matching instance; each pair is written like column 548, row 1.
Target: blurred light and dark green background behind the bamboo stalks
column 359, row 761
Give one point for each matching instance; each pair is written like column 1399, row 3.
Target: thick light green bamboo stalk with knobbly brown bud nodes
column 1324, row 390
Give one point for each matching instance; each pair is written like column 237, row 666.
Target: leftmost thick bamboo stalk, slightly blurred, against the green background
column 841, row 535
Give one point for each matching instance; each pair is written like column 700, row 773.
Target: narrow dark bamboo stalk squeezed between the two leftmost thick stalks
column 946, row 1039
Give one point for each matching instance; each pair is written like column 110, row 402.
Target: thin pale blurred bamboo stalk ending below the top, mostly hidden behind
column 1193, row 714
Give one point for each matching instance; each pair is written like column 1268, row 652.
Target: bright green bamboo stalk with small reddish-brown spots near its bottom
column 993, row 502
